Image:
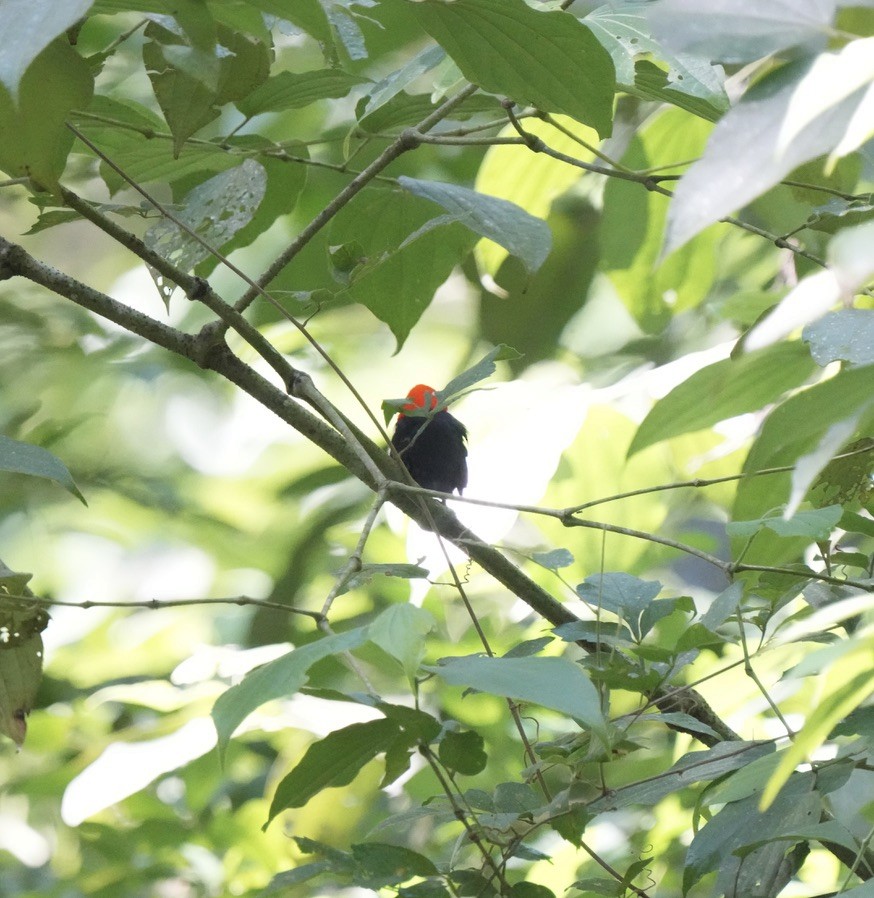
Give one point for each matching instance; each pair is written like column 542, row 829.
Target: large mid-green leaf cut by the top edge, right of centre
column 545, row 59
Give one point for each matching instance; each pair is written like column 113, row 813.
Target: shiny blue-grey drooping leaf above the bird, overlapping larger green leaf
column 505, row 223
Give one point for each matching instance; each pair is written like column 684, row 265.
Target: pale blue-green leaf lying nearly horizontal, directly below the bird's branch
column 552, row 682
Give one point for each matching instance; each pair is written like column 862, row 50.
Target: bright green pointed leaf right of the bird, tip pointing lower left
column 725, row 389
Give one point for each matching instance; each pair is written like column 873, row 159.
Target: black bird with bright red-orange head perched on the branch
column 433, row 448
